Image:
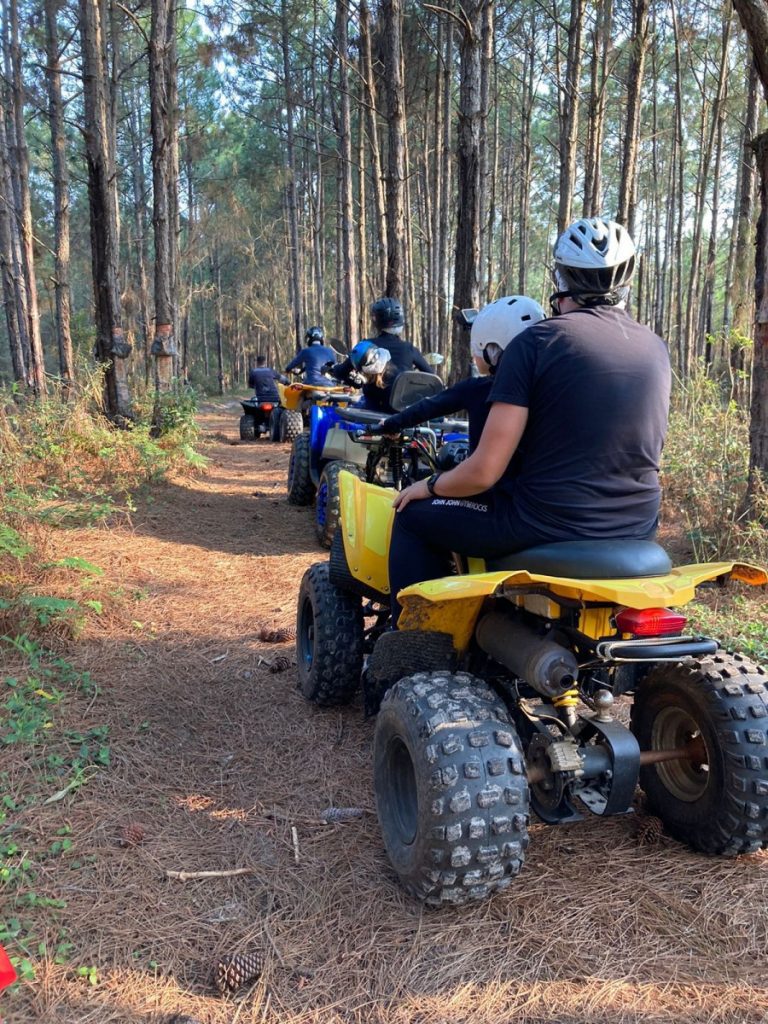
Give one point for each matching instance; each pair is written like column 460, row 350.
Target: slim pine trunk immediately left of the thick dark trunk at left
column 61, row 201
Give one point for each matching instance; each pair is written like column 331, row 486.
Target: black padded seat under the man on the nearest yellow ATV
column 616, row 560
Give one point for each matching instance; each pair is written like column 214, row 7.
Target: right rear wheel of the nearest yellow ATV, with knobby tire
column 717, row 801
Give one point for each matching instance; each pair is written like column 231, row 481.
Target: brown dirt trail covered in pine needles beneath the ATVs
column 226, row 766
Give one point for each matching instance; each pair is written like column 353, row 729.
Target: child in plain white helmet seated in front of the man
column 492, row 331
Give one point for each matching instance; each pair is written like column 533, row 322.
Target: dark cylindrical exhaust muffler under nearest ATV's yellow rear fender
column 548, row 667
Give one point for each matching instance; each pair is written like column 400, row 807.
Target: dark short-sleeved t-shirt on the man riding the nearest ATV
column 596, row 386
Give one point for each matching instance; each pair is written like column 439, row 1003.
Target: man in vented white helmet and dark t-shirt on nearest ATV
column 585, row 397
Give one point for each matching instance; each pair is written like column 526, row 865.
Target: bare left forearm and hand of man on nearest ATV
column 487, row 464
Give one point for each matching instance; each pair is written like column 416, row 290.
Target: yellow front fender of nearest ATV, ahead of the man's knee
column 367, row 518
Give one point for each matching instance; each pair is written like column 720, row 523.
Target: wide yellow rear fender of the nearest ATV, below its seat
column 453, row 605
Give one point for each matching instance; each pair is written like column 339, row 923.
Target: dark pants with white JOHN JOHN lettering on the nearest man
column 426, row 532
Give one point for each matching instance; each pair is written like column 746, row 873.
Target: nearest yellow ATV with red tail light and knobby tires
column 556, row 680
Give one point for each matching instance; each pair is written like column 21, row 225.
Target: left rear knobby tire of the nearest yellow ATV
column 451, row 789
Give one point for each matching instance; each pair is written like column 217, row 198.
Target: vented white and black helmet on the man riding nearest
column 595, row 259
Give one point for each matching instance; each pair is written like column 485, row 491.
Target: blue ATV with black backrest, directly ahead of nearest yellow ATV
column 336, row 443
